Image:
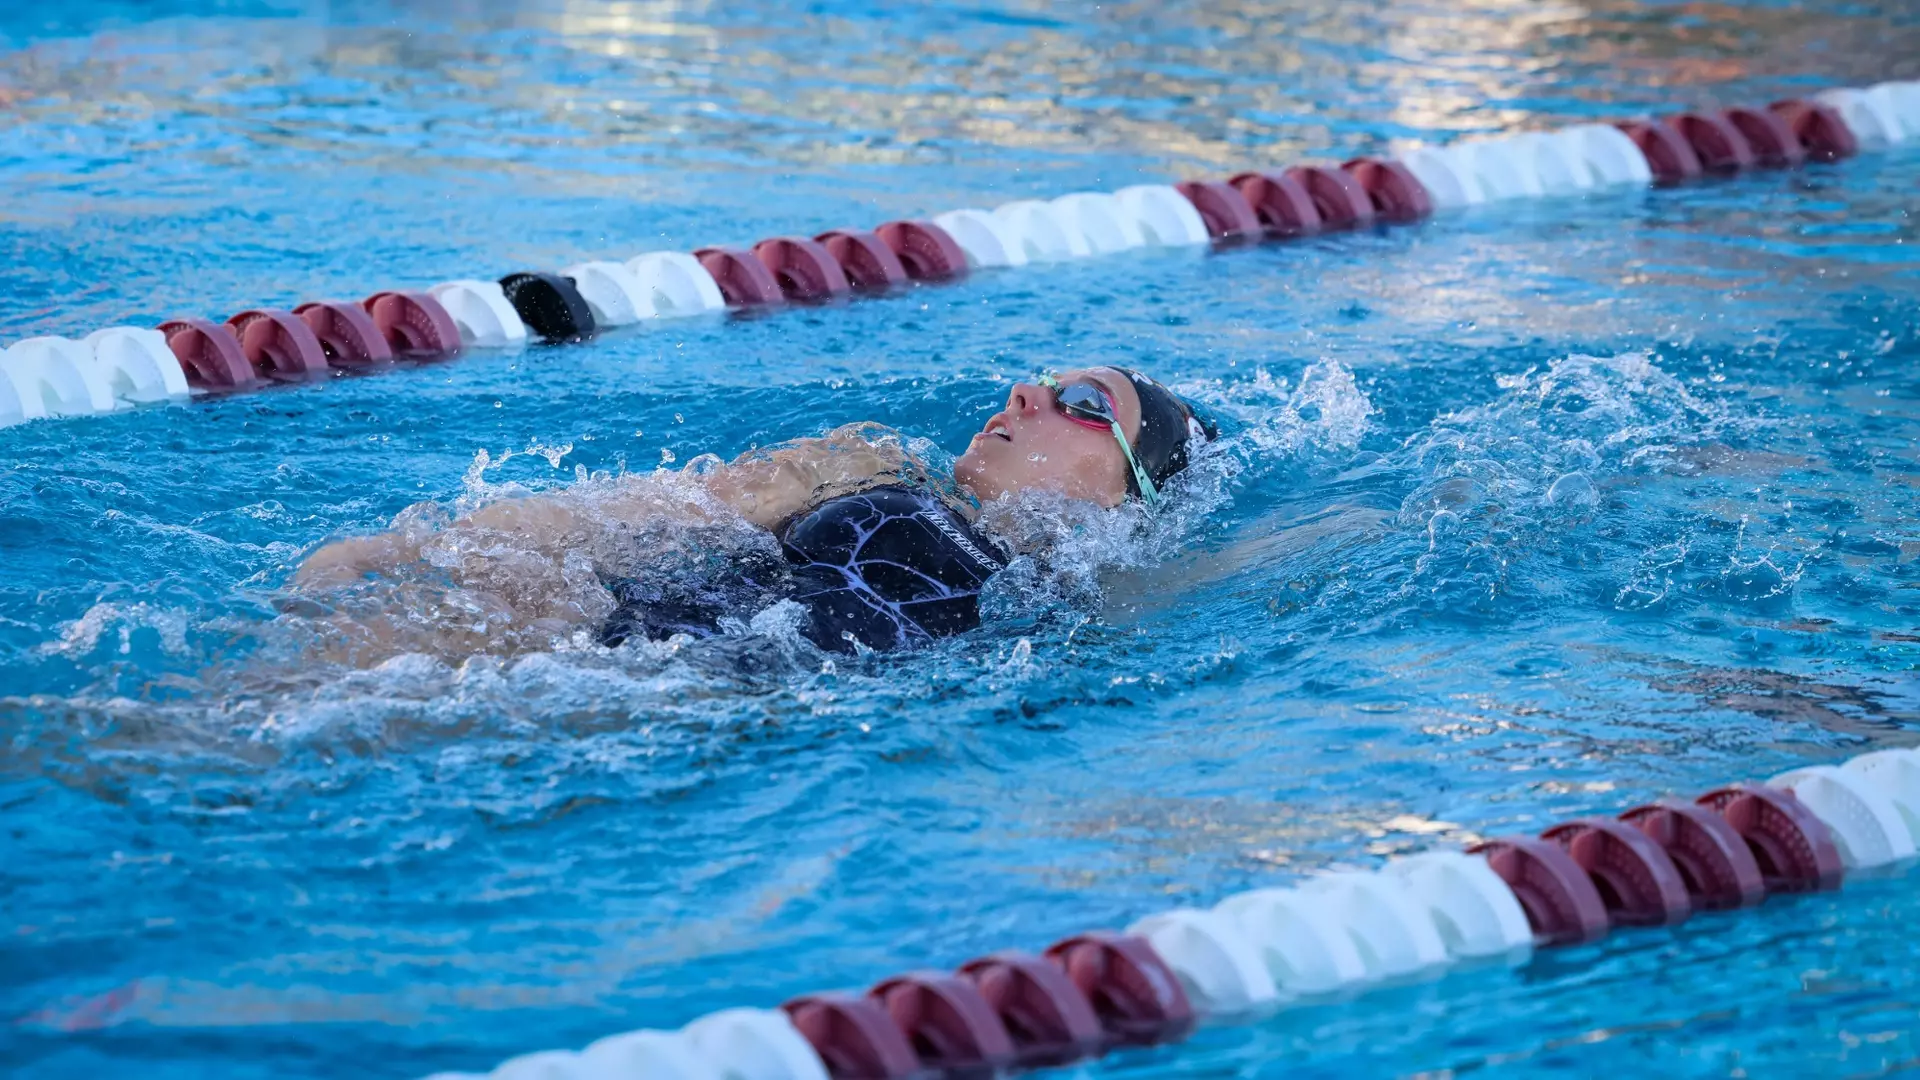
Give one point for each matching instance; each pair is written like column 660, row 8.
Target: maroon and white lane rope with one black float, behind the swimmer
column 124, row 366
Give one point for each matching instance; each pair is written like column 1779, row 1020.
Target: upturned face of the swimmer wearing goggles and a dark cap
column 1032, row 445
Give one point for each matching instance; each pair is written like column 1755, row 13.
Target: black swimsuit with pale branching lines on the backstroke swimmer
column 888, row 568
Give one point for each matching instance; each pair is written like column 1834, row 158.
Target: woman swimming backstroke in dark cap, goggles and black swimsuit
column 873, row 547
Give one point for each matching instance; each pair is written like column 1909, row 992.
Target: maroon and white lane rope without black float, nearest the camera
column 1251, row 954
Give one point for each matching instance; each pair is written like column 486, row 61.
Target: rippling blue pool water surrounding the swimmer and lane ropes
column 1527, row 514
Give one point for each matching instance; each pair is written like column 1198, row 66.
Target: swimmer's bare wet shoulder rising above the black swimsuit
column 771, row 487
